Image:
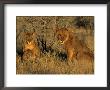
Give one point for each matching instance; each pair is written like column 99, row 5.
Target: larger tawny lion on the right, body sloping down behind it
column 74, row 47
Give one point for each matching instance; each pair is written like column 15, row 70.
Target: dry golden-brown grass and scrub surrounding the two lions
column 50, row 62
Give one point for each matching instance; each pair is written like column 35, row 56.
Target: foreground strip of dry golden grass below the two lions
column 47, row 64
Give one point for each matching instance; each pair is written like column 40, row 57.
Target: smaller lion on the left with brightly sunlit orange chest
column 30, row 46
